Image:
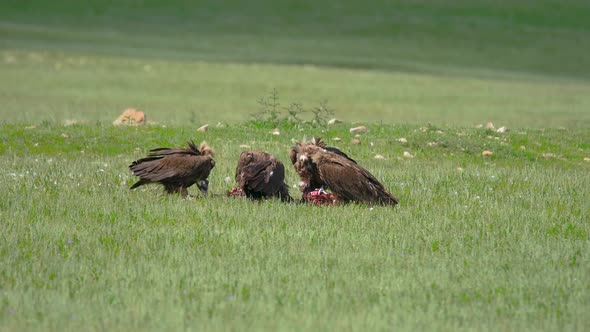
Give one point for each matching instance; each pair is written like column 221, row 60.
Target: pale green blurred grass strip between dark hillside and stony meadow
column 47, row 86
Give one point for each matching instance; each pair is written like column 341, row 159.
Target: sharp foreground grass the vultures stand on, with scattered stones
column 503, row 243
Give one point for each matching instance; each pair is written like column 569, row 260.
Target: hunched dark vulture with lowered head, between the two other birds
column 260, row 175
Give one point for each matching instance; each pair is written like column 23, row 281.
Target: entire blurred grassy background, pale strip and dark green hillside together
column 521, row 64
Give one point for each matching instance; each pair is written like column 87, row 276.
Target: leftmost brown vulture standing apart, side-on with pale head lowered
column 175, row 168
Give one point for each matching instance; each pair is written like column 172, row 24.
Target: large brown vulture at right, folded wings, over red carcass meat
column 324, row 167
